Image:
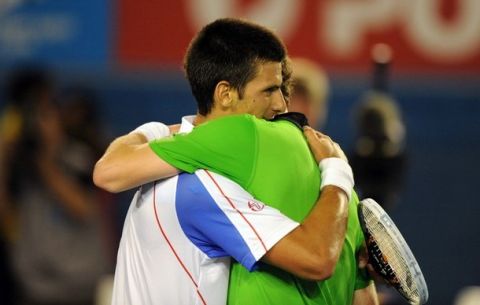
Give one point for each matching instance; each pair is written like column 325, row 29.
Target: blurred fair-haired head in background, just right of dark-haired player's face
column 310, row 91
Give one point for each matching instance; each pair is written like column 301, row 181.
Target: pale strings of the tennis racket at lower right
column 389, row 248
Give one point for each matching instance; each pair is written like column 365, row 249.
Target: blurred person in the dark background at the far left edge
column 57, row 255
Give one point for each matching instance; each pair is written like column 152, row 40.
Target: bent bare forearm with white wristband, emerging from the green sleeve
column 129, row 161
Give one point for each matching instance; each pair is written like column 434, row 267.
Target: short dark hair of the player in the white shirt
column 229, row 50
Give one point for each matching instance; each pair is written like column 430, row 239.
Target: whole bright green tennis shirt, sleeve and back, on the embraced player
column 272, row 161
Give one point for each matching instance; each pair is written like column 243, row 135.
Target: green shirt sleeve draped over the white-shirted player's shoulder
column 226, row 146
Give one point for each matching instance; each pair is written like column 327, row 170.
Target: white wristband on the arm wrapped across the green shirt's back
column 337, row 172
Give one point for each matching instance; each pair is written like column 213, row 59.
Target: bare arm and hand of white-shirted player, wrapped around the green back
column 312, row 250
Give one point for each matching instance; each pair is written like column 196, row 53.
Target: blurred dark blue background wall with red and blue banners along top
column 130, row 51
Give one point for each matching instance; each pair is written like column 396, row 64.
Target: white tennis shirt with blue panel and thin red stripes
column 180, row 233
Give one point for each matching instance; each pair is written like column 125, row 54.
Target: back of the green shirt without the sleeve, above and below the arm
column 287, row 177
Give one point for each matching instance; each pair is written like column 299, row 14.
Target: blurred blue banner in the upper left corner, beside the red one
column 58, row 32
